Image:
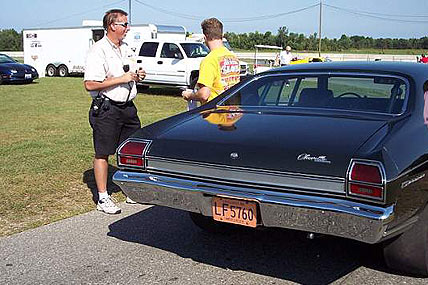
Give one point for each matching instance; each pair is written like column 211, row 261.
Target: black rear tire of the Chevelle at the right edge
column 409, row 251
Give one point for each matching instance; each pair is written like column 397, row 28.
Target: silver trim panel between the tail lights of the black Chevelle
column 247, row 175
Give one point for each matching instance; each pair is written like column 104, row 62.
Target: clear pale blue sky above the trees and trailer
column 374, row 18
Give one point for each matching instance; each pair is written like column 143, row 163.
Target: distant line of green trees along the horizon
column 10, row 40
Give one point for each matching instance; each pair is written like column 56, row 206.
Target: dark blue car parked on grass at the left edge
column 12, row 71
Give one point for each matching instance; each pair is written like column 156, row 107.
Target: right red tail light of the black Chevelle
column 366, row 180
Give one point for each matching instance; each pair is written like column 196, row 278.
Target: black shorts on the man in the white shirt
column 111, row 126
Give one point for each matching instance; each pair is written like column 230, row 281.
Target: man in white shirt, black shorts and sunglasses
column 113, row 116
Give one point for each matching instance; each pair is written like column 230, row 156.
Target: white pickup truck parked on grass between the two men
column 172, row 63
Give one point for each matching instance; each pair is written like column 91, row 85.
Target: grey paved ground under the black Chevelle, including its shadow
column 155, row 245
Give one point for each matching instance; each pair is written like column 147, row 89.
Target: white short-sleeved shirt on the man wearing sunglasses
column 106, row 60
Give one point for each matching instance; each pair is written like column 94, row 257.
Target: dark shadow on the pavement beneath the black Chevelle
column 278, row 253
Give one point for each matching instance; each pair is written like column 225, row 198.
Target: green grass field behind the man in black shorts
column 46, row 149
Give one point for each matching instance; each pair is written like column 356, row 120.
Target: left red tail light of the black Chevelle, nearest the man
column 131, row 153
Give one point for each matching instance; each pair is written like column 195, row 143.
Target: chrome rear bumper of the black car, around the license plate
column 323, row 215
